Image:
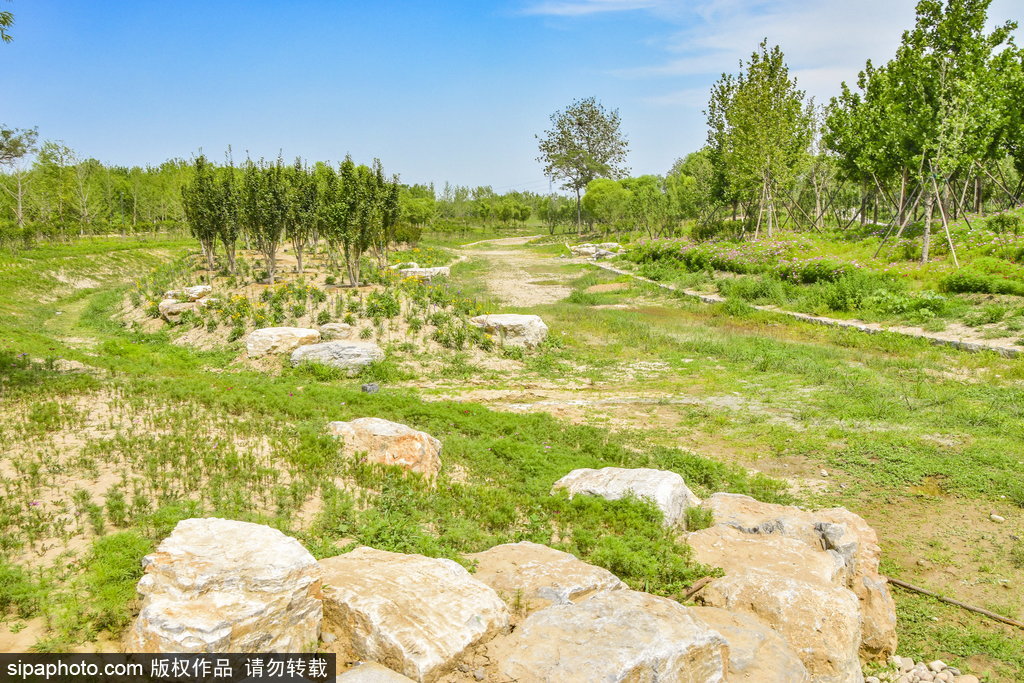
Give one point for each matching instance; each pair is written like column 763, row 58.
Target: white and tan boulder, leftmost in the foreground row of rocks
column 225, row 586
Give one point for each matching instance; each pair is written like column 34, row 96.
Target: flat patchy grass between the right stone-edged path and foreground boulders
column 893, row 416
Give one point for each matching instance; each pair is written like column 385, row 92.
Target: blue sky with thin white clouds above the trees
column 440, row 92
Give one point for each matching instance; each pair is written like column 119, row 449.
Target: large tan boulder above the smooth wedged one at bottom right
column 820, row 621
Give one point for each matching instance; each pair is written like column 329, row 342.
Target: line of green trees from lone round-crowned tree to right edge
column 936, row 133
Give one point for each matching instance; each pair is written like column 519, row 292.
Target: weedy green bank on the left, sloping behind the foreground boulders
column 182, row 434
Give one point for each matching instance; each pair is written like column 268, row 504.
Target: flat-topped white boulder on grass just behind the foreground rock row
column 666, row 490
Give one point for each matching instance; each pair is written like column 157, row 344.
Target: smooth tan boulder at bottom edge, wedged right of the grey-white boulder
column 757, row 653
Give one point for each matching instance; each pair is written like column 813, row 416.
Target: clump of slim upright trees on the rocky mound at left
column 354, row 208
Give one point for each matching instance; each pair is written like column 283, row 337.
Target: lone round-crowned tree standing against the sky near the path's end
column 584, row 143
